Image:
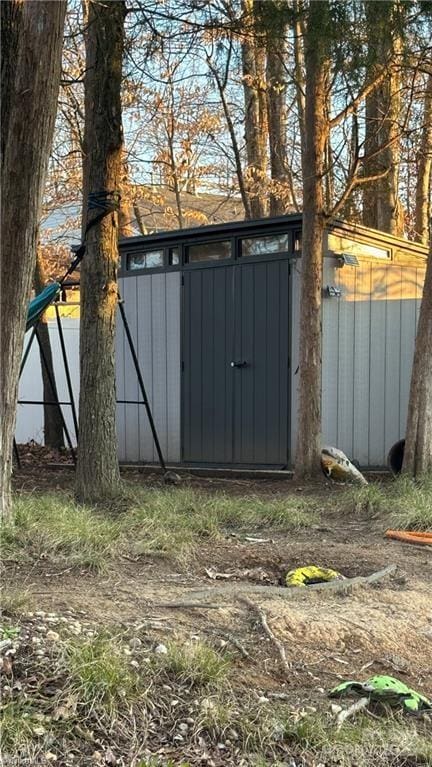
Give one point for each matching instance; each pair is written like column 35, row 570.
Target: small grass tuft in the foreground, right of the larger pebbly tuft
column 195, row 664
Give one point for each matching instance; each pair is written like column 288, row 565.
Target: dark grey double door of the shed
column 235, row 364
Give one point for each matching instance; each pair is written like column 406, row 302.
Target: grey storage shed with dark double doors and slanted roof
column 214, row 314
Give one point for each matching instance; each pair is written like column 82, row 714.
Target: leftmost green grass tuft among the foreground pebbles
column 99, row 675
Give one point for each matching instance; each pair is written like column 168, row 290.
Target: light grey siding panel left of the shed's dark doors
column 152, row 305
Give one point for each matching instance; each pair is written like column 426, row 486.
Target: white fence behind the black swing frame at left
column 30, row 420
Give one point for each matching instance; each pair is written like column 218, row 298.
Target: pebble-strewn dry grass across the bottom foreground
column 89, row 696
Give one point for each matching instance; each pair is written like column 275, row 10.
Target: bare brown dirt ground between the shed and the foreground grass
column 327, row 636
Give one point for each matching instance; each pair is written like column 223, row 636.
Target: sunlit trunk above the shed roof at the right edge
column 424, row 170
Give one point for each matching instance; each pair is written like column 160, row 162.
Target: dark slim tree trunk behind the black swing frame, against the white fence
column 53, row 425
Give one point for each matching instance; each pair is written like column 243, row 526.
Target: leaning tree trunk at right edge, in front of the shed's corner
column 418, row 442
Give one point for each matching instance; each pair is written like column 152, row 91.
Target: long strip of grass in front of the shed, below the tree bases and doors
column 164, row 522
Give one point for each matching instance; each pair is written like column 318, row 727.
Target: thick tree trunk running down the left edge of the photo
column 32, row 37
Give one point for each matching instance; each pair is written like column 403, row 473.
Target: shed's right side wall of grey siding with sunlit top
column 368, row 344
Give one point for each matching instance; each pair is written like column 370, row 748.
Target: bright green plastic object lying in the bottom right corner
column 386, row 689
